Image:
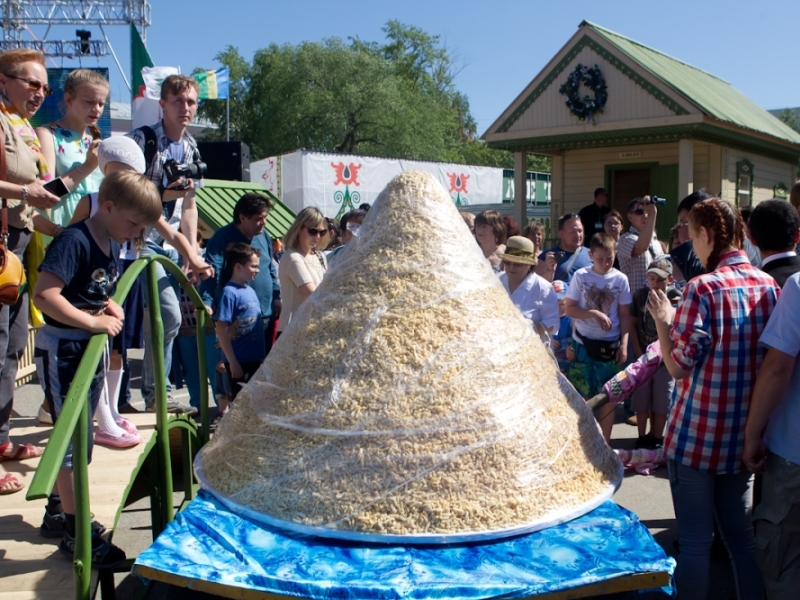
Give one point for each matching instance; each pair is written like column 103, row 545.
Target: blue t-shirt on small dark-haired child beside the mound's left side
column 239, row 306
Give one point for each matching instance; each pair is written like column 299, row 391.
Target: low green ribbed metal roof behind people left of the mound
column 216, row 199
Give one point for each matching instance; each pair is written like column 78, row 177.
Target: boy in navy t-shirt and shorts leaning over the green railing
column 77, row 278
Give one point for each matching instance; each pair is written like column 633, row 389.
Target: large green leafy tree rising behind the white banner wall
column 395, row 99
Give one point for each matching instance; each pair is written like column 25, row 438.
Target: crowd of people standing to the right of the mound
column 722, row 404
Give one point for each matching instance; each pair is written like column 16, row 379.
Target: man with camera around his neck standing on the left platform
column 172, row 164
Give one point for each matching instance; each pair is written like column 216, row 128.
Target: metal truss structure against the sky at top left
column 18, row 15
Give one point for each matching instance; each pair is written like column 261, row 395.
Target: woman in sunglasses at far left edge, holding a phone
column 23, row 85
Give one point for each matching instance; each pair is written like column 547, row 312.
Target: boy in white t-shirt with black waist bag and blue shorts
column 598, row 300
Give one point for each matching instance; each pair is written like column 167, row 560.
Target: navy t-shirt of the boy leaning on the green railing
column 90, row 275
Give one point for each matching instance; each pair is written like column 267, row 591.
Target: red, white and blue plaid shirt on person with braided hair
column 716, row 331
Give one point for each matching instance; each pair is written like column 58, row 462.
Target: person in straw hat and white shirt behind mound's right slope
column 531, row 294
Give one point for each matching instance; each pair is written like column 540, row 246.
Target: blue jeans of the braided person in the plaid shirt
column 700, row 499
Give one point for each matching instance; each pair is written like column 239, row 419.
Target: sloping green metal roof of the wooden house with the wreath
column 712, row 95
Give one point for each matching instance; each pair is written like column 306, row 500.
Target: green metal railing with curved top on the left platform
column 73, row 421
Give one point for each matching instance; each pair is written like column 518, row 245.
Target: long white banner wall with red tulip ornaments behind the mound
column 337, row 183
